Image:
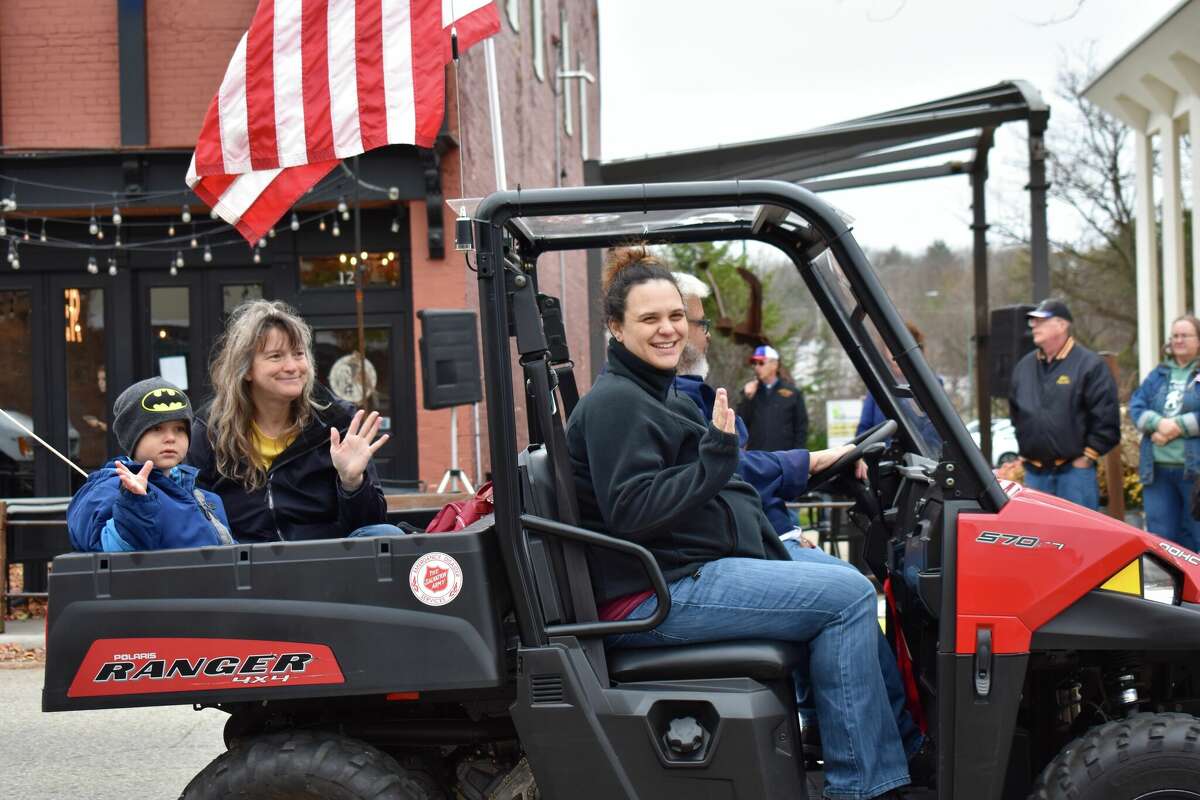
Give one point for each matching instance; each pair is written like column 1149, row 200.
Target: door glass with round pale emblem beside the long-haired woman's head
column 338, row 366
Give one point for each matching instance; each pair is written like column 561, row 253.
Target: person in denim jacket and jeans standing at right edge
column 1167, row 410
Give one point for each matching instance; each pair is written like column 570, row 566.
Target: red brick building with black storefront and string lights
column 100, row 106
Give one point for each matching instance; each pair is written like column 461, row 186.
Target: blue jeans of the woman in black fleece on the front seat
column 805, row 600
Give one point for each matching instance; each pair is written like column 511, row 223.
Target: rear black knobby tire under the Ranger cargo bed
column 305, row 766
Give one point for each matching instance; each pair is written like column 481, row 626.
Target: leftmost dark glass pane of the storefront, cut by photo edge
column 17, row 450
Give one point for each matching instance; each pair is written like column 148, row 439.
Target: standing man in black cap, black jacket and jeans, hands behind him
column 1064, row 406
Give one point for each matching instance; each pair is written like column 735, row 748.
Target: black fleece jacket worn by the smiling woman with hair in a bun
column 650, row 470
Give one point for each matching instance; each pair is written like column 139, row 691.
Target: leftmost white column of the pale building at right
column 1150, row 330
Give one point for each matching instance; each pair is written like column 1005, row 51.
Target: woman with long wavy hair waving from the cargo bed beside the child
column 291, row 461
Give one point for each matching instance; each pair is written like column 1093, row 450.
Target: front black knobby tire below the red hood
column 1143, row 757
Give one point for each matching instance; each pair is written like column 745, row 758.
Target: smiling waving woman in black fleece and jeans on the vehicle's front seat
column 649, row 468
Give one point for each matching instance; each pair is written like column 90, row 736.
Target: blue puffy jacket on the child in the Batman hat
column 172, row 514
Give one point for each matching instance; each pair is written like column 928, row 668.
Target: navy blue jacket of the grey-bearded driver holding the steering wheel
column 778, row 476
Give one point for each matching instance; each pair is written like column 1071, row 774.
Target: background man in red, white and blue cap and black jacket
column 772, row 408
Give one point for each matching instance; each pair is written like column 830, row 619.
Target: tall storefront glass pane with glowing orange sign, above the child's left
column 87, row 380
